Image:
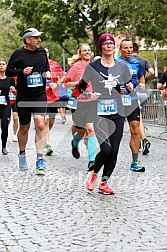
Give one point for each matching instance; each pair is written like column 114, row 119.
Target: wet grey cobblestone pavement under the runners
column 56, row 213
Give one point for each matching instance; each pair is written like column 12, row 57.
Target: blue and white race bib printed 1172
column 107, row 107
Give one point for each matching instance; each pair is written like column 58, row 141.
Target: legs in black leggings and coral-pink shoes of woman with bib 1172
column 109, row 134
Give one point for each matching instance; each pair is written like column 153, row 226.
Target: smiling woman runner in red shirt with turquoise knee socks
column 82, row 121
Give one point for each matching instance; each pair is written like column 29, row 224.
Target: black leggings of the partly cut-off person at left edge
column 5, row 113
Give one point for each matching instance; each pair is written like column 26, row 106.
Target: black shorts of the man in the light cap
column 28, row 105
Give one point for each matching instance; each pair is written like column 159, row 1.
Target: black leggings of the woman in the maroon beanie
column 109, row 133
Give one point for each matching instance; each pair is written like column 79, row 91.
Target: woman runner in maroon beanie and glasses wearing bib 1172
column 107, row 77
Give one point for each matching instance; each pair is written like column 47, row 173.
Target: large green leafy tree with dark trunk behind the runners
column 69, row 22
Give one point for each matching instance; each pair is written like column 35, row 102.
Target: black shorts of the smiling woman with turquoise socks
column 83, row 114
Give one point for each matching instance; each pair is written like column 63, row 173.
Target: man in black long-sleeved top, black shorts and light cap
column 30, row 65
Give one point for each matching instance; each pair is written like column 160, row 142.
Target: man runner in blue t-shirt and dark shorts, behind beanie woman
column 132, row 109
